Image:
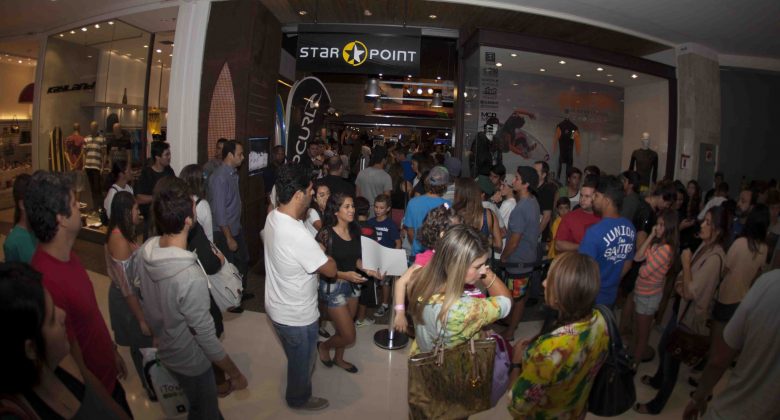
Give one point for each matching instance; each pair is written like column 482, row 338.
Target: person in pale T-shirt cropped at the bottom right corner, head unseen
column 751, row 334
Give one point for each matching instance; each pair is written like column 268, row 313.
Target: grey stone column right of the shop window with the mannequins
column 698, row 88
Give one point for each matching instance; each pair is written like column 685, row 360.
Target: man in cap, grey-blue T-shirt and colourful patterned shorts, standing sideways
column 519, row 255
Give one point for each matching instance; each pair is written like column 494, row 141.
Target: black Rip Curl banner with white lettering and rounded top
column 306, row 106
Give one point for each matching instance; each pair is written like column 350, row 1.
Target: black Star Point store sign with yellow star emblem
column 345, row 49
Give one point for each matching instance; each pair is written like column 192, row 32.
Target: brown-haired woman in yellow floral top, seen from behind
column 553, row 373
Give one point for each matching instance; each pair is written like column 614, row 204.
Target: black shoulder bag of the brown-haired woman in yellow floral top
column 613, row 391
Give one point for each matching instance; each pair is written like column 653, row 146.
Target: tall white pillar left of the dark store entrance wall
column 184, row 91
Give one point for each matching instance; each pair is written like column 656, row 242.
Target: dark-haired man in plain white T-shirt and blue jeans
column 293, row 260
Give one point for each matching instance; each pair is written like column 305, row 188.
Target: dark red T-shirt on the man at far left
column 72, row 291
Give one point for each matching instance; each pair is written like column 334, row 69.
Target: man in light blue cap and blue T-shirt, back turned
column 418, row 207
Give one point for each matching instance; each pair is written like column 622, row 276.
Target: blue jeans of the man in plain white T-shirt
column 300, row 347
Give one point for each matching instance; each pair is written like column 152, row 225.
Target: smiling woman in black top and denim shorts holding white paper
column 340, row 238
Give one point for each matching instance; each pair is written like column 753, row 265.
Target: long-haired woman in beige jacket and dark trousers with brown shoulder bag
column 696, row 284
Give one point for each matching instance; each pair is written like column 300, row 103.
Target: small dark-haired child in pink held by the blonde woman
column 434, row 226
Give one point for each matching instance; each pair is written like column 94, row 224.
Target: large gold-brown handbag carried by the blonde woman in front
column 451, row 383
